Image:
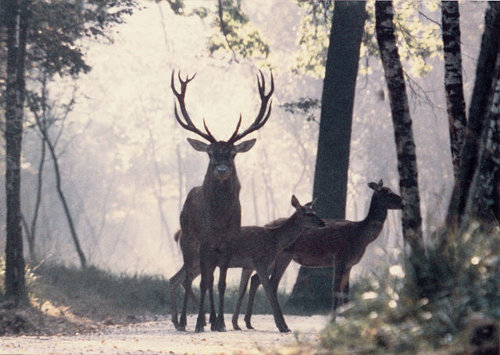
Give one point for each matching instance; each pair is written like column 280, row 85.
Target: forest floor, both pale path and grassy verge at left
column 94, row 312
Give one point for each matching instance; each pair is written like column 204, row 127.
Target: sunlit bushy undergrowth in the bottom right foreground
column 427, row 307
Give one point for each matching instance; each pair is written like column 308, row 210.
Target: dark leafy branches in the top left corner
column 56, row 26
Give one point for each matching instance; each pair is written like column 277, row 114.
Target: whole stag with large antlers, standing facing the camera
column 211, row 214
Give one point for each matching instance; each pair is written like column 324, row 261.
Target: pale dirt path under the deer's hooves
column 160, row 337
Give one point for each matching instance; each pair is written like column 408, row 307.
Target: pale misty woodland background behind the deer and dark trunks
column 124, row 166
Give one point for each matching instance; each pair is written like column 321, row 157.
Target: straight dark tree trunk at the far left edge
column 16, row 17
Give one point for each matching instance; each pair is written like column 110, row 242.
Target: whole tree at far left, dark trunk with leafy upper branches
column 51, row 28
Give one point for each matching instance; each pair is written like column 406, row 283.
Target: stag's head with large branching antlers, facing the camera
column 222, row 153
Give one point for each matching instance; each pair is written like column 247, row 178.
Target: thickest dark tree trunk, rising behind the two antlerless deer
column 314, row 286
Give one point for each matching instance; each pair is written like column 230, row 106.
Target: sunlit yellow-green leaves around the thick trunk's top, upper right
column 418, row 38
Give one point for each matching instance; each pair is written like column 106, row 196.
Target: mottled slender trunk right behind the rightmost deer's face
column 405, row 145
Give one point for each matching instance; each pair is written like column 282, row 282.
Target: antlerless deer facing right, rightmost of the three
column 340, row 244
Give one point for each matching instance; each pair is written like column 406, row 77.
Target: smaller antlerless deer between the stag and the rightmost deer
column 255, row 248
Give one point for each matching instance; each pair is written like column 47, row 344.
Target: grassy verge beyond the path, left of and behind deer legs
column 81, row 299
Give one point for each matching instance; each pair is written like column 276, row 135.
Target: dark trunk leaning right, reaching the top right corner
column 477, row 113
